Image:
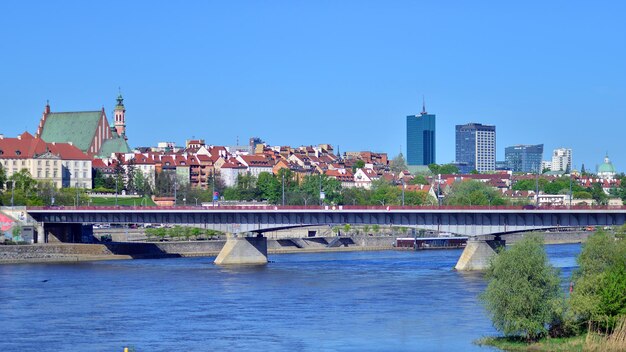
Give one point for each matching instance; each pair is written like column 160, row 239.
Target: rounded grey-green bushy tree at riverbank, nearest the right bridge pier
column 523, row 295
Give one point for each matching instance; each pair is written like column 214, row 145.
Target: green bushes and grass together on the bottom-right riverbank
column 525, row 302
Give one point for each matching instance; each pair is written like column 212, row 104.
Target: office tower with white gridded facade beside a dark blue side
column 476, row 146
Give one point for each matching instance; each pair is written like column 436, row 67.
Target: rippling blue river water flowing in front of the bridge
column 349, row 301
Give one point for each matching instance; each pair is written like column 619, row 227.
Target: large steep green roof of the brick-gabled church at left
column 76, row 127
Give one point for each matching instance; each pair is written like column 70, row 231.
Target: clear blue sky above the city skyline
column 339, row 72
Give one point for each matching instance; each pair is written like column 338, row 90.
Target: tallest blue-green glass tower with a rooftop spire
column 420, row 138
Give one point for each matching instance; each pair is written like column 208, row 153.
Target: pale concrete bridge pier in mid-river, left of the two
column 243, row 251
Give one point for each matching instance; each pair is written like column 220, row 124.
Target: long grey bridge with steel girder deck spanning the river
column 474, row 222
